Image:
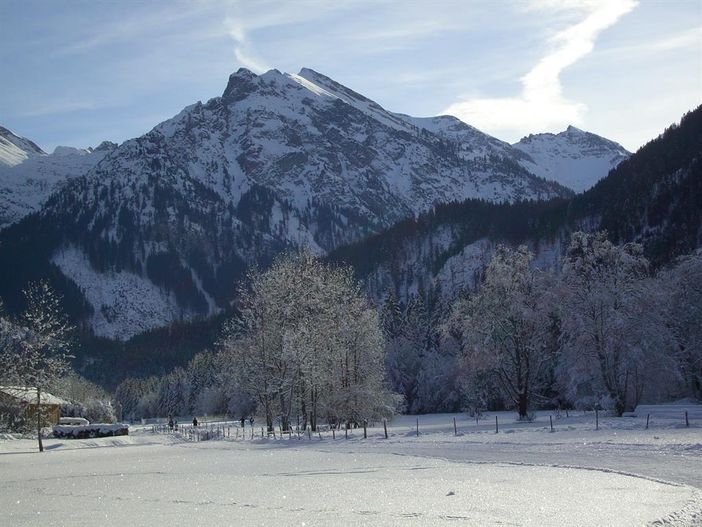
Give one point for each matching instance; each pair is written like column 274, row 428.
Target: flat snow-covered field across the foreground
column 621, row 474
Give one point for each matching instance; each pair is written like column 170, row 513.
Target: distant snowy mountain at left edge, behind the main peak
column 28, row 175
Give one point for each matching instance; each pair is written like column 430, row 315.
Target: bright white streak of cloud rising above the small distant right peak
column 541, row 105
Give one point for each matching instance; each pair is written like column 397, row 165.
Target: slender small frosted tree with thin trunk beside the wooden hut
column 38, row 351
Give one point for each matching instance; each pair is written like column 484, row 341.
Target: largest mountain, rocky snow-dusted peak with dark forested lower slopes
column 163, row 226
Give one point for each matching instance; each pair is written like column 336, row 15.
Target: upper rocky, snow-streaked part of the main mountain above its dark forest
column 307, row 137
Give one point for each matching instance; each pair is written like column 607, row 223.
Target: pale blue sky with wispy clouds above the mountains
column 79, row 72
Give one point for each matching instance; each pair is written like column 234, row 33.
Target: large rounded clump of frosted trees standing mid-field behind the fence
column 305, row 342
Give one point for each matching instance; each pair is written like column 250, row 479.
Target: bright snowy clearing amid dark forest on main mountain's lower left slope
column 124, row 304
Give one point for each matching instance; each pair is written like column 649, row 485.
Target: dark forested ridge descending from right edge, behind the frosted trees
column 654, row 198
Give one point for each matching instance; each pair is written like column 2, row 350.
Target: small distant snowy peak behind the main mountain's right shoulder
column 574, row 158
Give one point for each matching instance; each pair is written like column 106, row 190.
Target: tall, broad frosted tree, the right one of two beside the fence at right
column 615, row 338
